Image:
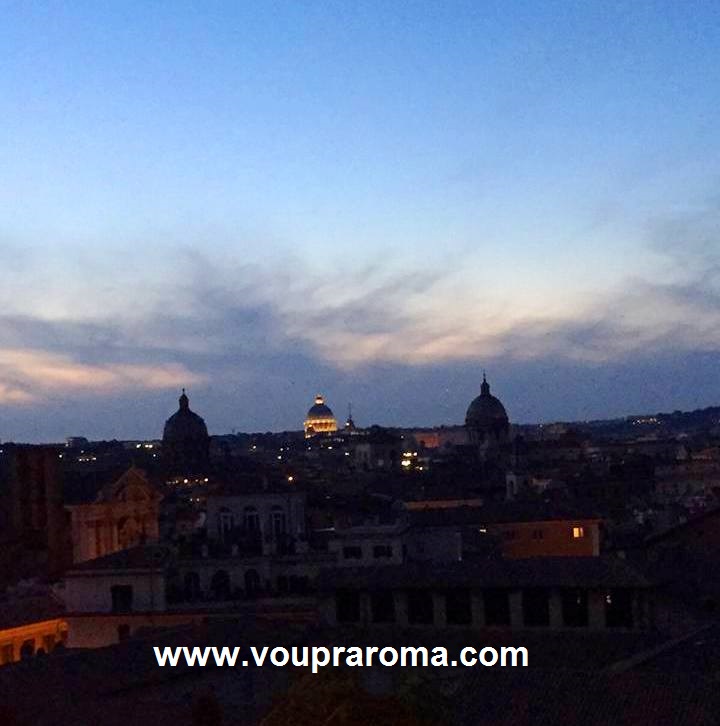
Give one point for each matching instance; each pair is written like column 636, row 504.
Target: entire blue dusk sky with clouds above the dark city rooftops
column 261, row 201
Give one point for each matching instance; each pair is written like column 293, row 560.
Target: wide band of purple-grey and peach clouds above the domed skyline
column 258, row 340
